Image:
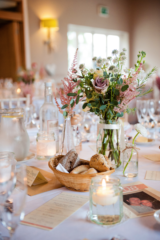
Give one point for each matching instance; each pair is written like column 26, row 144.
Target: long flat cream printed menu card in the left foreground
column 55, row 211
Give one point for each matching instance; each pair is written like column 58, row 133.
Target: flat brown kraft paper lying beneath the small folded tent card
column 52, row 183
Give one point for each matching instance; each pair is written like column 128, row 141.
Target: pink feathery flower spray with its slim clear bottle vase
column 69, row 97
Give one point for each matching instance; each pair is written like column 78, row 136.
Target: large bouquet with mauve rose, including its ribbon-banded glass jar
column 108, row 90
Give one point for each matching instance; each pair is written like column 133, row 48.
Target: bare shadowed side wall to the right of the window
column 145, row 30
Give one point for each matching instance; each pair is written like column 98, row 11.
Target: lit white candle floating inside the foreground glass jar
column 104, row 195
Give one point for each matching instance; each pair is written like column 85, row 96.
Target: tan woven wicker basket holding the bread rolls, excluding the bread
column 78, row 182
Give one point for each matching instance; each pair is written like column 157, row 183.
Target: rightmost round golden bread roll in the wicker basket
column 98, row 161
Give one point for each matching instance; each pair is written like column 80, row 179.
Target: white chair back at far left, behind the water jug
column 16, row 101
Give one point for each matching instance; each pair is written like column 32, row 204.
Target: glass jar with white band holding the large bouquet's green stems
column 108, row 141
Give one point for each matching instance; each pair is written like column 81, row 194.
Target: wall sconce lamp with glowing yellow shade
column 50, row 23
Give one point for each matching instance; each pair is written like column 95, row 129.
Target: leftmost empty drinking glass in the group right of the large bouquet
column 142, row 111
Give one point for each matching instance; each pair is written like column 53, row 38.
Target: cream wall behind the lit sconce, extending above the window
column 80, row 12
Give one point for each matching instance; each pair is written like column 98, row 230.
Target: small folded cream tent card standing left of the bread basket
column 34, row 177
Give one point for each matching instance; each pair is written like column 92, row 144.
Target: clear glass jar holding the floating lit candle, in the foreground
column 106, row 200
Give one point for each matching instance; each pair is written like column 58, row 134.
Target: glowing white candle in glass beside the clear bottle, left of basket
column 46, row 148
